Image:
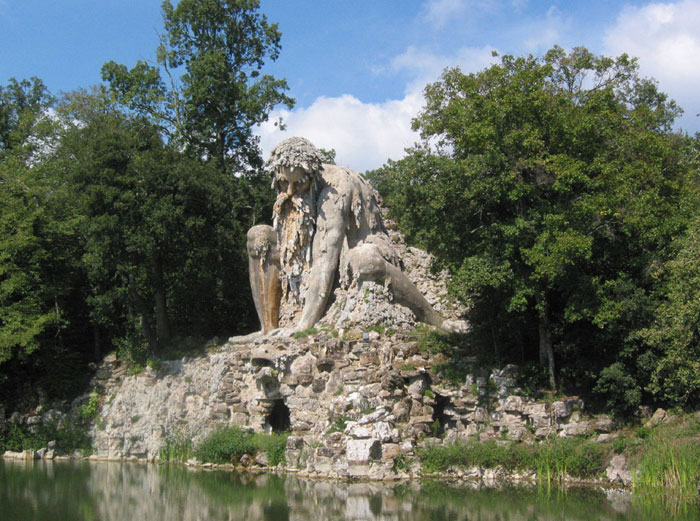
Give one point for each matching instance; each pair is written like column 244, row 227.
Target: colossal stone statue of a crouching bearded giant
column 326, row 219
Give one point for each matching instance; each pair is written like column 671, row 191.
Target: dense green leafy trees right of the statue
column 557, row 194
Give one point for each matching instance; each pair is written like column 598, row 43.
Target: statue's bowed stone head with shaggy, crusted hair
column 295, row 164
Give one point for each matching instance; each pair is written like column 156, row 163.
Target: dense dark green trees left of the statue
column 124, row 208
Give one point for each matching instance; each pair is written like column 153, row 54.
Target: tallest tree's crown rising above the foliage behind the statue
column 220, row 47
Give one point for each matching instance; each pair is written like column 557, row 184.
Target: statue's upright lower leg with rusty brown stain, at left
column 263, row 270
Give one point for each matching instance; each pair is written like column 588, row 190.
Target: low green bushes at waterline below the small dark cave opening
column 227, row 445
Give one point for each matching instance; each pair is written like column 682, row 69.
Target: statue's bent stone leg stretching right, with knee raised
column 366, row 262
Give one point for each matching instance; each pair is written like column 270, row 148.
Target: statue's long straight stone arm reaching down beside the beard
column 327, row 246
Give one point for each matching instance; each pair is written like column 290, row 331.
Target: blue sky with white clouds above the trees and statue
column 357, row 67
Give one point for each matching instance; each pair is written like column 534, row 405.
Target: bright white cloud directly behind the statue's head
column 366, row 135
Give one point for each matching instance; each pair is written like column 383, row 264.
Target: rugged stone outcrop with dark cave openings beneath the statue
column 355, row 406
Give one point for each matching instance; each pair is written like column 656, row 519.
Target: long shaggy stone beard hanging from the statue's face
column 294, row 220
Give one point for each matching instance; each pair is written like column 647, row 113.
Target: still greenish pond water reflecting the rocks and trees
column 82, row 491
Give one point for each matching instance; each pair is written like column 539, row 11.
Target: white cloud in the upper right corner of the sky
column 665, row 38
